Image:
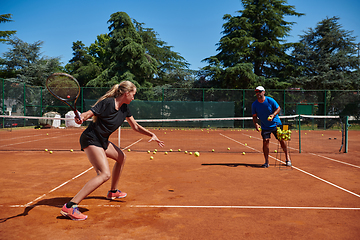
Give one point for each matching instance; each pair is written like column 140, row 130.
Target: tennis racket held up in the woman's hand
column 65, row 88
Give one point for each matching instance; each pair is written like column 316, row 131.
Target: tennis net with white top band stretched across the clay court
column 224, row 135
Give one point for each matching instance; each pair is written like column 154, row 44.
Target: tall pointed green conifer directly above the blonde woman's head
column 128, row 59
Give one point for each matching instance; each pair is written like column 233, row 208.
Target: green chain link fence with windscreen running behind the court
column 172, row 103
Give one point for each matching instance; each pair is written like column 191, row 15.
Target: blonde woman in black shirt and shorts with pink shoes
column 108, row 113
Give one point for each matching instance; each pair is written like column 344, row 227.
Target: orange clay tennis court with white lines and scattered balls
column 219, row 195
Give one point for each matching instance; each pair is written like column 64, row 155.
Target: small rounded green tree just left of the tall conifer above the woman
column 82, row 66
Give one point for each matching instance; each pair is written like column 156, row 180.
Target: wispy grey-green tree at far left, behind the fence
column 25, row 63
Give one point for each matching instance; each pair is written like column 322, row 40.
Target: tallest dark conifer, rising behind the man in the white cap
column 252, row 51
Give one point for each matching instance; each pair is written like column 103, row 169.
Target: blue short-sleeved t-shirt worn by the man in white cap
column 263, row 110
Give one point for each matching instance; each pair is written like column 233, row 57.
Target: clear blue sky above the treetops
column 191, row 27
